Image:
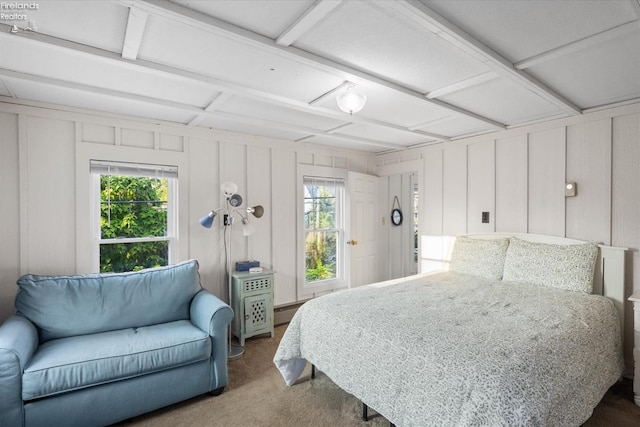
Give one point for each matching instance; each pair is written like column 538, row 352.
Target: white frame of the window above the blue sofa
column 97, row 167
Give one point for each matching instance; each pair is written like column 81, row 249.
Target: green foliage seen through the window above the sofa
column 133, row 207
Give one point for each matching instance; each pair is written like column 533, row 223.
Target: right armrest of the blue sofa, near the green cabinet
column 213, row 316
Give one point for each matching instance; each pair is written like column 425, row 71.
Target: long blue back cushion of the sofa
column 64, row 306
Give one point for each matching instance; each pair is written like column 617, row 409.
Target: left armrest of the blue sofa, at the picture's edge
column 18, row 342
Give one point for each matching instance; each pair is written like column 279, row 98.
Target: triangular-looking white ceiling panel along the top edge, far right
column 520, row 29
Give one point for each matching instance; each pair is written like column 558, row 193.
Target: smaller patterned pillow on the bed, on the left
column 479, row 257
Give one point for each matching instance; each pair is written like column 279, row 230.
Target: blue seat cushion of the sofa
column 68, row 364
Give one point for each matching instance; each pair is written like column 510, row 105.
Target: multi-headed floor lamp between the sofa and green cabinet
column 233, row 203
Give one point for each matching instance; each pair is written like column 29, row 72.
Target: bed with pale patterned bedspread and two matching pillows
column 521, row 330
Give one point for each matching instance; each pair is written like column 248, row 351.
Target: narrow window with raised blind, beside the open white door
column 323, row 229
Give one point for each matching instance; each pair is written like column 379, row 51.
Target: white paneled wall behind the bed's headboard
column 522, row 172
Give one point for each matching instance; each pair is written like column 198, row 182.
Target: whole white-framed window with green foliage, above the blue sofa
column 135, row 212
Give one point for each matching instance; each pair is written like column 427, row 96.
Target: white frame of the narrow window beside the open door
column 305, row 289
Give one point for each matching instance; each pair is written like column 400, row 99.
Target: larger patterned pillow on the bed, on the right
column 568, row 267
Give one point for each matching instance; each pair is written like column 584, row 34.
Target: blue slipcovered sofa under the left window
column 92, row 350
